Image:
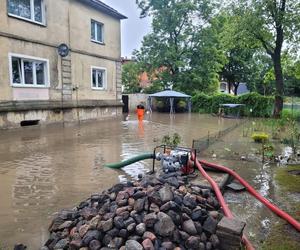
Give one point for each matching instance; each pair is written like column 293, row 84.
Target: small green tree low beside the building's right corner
column 131, row 77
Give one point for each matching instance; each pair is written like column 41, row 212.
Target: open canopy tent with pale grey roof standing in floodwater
column 171, row 95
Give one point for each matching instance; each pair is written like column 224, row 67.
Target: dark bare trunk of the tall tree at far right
column 279, row 85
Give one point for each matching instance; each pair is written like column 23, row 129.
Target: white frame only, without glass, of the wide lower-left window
column 31, row 58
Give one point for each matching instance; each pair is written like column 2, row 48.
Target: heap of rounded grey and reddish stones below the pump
column 164, row 212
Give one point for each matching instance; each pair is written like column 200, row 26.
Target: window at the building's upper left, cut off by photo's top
column 32, row 10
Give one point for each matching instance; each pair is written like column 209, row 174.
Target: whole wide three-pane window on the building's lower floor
column 29, row 71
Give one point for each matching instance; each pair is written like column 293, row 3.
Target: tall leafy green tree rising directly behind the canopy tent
column 174, row 43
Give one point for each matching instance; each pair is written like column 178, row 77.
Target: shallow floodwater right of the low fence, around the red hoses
column 228, row 152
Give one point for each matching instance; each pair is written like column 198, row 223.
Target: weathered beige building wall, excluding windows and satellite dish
column 69, row 22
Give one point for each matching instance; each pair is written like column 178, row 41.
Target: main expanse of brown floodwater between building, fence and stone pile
column 43, row 170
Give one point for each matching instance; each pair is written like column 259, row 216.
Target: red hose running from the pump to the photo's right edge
column 252, row 191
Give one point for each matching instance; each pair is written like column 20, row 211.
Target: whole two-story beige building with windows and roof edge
column 60, row 61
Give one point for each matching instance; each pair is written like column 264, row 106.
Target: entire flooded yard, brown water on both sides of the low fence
column 43, row 170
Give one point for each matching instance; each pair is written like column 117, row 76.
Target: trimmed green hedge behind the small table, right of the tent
column 255, row 104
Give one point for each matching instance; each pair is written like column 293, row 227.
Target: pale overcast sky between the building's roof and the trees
column 133, row 28
